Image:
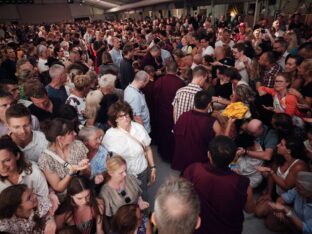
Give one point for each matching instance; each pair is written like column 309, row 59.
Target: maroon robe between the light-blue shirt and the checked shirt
column 165, row 89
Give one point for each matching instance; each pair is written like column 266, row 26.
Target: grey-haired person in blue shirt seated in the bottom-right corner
column 298, row 218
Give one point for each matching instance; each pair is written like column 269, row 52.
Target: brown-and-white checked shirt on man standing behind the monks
column 184, row 99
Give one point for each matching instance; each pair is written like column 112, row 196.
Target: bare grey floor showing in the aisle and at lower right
column 252, row 225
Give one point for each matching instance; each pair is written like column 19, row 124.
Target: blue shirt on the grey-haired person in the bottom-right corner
column 302, row 208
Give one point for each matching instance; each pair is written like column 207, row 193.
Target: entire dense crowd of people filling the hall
column 228, row 106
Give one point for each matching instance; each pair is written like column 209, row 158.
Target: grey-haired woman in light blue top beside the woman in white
column 92, row 137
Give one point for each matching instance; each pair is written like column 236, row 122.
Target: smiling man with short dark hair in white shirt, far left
column 32, row 143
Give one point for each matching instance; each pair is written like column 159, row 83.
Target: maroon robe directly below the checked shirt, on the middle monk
column 193, row 133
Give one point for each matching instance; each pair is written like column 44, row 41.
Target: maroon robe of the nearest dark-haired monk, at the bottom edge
column 222, row 194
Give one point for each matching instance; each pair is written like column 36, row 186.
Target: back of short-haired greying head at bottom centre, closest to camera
column 168, row 218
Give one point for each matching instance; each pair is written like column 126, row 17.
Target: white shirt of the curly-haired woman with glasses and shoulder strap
column 119, row 142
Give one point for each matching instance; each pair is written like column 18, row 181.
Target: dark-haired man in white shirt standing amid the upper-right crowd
column 241, row 61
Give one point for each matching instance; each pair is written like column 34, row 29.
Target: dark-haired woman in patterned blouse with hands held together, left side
column 65, row 156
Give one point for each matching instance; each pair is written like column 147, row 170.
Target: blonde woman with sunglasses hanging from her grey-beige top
column 120, row 188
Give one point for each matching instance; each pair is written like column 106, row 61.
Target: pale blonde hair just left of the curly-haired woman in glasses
column 93, row 100
